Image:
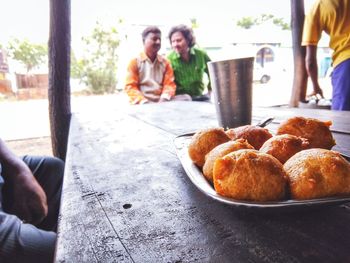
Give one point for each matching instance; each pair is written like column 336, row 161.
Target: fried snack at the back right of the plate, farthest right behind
column 316, row 131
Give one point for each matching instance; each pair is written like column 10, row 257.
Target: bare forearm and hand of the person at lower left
column 29, row 199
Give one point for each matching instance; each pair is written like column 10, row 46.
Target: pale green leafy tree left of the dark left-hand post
column 29, row 54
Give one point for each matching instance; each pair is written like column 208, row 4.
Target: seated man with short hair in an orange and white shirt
column 150, row 77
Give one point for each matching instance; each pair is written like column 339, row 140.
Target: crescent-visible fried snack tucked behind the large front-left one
column 220, row 151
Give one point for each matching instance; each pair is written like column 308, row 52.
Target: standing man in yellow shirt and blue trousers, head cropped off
column 332, row 17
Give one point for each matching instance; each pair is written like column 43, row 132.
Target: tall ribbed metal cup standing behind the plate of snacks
column 231, row 82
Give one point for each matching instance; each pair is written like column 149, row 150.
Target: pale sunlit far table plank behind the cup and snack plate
column 199, row 115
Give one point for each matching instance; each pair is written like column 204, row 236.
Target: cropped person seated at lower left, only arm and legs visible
column 30, row 193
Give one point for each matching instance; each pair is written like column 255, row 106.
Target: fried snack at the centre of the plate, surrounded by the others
column 284, row 146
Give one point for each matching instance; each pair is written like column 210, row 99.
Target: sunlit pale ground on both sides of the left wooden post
column 27, row 129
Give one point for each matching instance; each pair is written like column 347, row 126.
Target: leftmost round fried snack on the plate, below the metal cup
column 203, row 142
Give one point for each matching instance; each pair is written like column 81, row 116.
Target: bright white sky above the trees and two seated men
column 30, row 19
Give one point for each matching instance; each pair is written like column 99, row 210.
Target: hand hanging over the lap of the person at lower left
column 29, row 199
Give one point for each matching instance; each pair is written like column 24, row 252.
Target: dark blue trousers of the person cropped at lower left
column 20, row 242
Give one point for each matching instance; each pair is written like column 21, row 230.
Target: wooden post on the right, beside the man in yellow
column 300, row 74
